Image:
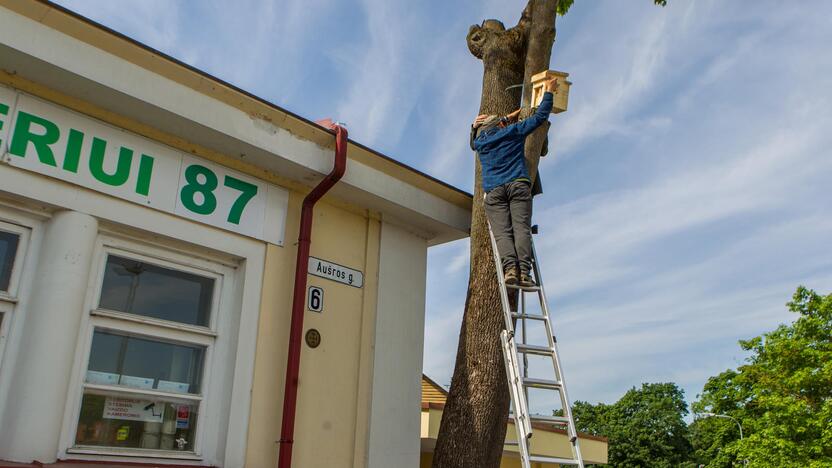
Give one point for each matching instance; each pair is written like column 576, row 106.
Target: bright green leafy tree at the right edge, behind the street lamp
column 782, row 396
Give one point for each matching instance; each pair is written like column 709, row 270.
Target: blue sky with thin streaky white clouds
column 687, row 192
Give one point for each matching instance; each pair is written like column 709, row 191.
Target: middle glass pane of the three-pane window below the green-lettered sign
column 142, row 363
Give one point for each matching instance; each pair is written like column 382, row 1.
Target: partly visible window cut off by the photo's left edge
column 13, row 240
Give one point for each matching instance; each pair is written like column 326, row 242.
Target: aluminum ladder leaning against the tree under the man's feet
column 518, row 383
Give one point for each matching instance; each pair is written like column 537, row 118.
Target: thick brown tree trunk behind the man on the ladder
column 473, row 426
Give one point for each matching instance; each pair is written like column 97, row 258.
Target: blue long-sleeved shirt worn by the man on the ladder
column 501, row 150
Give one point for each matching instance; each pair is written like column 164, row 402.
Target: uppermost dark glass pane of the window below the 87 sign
column 153, row 291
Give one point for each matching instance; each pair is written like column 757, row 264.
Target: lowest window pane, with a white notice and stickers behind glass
column 115, row 421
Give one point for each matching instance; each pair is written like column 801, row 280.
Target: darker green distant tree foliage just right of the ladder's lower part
column 646, row 427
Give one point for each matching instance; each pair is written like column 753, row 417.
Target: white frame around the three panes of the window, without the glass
column 208, row 406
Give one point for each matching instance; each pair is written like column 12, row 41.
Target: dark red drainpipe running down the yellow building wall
column 290, row 393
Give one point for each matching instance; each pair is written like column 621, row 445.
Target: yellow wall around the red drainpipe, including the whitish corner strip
column 358, row 395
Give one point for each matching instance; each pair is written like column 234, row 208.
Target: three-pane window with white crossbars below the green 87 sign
column 152, row 333
